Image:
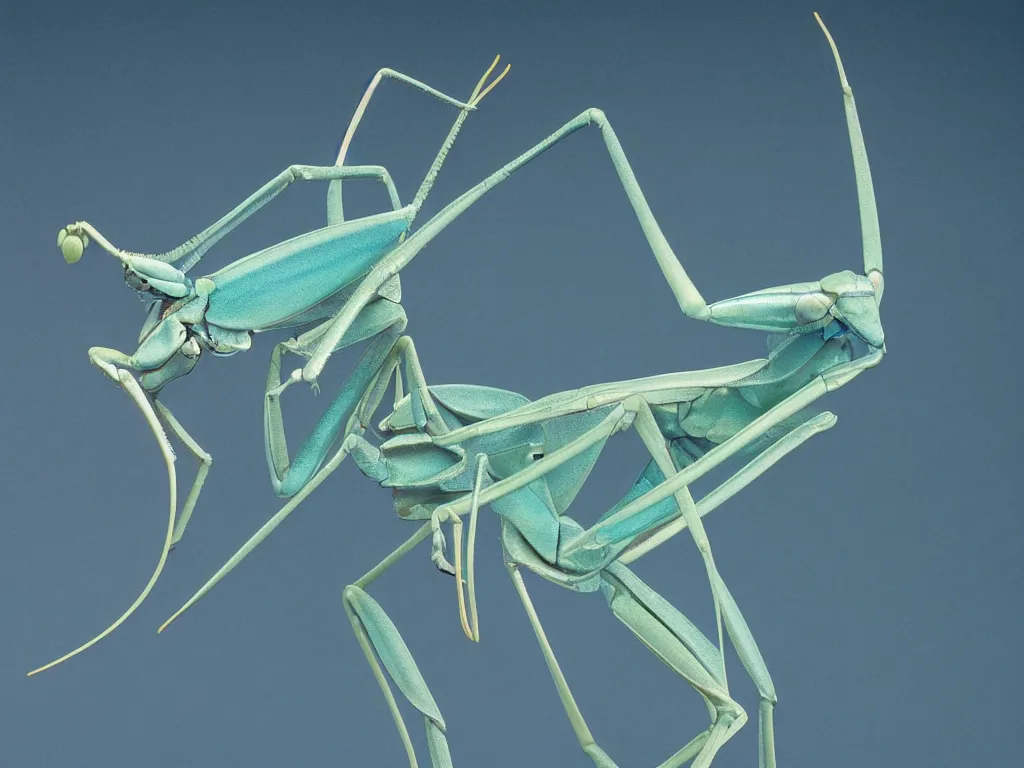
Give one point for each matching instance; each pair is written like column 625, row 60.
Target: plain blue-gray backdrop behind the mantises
column 879, row 567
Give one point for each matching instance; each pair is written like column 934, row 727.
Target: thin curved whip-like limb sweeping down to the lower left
column 108, row 361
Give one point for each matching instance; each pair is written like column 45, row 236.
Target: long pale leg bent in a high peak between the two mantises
column 687, row 293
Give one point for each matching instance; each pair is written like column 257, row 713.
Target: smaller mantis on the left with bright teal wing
column 305, row 283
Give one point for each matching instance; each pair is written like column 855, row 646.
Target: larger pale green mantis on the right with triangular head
column 460, row 448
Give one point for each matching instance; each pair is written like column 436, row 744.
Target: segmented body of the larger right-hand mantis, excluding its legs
column 428, row 472
